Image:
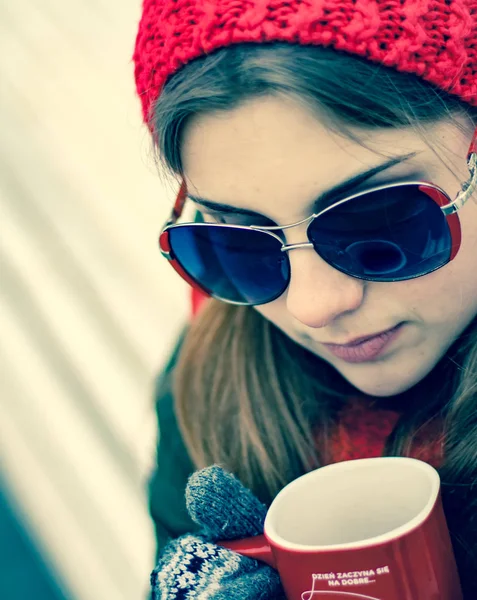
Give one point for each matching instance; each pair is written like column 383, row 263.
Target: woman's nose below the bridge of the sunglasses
column 318, row 293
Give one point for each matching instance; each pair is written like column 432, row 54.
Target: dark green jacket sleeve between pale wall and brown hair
column 167, row 484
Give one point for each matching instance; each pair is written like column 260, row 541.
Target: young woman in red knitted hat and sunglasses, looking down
column 330, row 151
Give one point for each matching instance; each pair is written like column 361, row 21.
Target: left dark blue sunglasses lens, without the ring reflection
column 234, row 264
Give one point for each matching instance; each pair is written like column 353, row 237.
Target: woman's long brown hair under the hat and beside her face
column 246, row 395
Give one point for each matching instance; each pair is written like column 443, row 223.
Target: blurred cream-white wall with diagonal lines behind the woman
column 88, row 307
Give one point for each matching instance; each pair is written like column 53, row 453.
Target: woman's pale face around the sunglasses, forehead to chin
column 274, row 157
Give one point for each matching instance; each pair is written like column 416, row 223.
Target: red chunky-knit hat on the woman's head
column 434, row 39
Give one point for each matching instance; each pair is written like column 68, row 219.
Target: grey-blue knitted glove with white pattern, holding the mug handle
column 193, row 567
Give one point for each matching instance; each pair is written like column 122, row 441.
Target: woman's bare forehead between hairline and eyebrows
column 273, row 149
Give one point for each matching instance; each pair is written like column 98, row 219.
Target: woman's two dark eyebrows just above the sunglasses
column 331, row 194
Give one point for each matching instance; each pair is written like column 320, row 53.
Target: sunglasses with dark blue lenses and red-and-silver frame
column 388, row 233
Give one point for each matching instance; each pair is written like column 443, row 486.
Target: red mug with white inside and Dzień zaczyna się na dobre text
column 369, row 529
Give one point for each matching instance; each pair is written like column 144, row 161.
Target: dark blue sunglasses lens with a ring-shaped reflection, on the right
column 388, row 235
